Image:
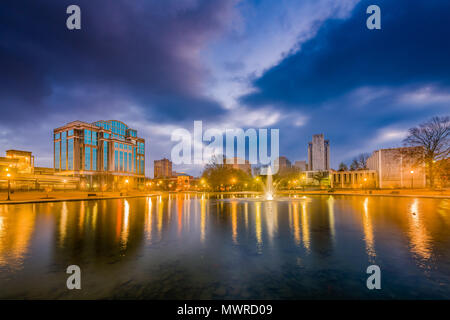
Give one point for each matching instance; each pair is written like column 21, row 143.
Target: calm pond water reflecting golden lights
column 186, row 246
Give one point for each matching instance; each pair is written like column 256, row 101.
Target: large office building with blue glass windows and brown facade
column 102, row 152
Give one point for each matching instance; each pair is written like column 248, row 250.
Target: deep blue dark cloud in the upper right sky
column 412, row 47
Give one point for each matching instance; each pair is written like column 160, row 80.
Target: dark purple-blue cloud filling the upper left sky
column 144, row 51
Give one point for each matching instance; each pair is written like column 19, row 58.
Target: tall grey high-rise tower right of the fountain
column 319, row 153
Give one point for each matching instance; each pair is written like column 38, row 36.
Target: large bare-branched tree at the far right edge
column 430, row 142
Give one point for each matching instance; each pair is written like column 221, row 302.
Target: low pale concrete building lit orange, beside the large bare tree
column 397, row 168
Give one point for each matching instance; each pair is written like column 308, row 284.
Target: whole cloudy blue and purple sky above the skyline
column 303, row 67
